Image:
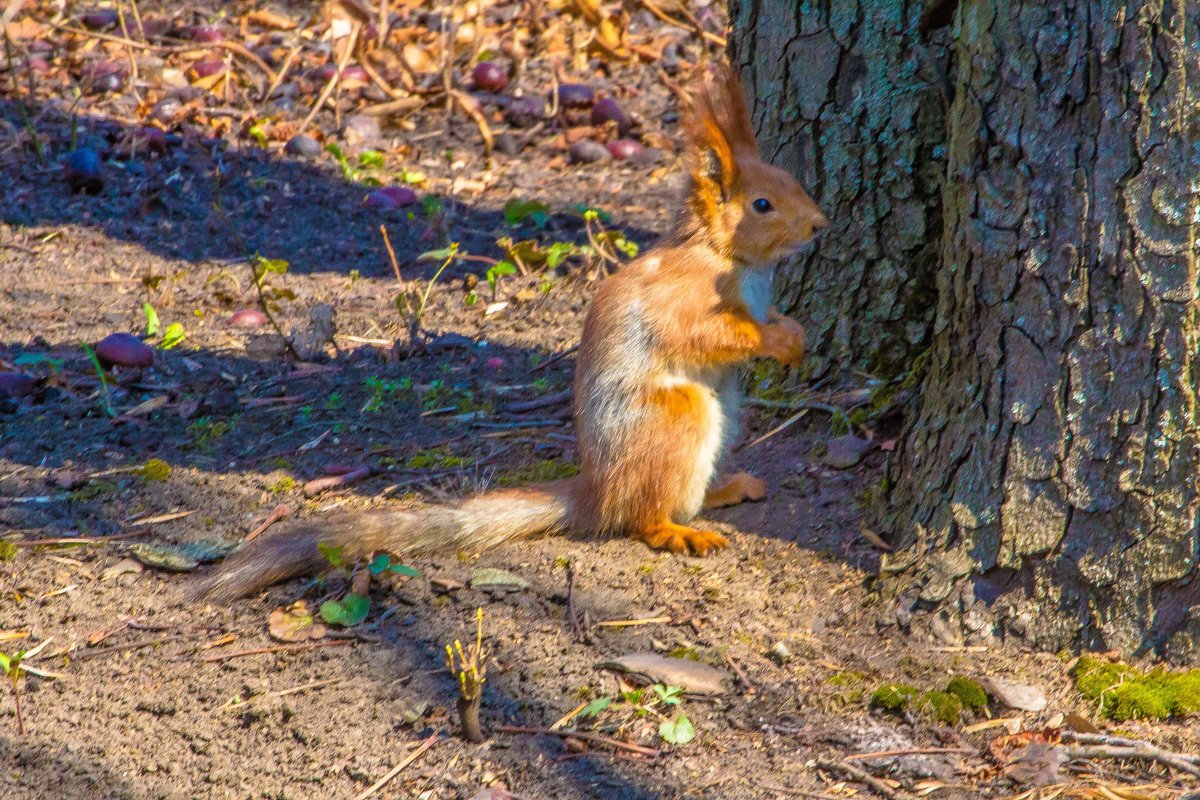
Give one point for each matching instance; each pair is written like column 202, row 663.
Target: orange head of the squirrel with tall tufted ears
column 755, row 213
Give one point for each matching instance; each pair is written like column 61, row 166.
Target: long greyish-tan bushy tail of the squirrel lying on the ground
column 478, row 524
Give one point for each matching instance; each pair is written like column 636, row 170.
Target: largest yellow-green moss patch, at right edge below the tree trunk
column 1126, row 693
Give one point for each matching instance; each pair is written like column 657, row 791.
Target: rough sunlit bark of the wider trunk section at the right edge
column 1047, row 486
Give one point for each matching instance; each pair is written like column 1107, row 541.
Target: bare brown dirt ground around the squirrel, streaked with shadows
column 155, row 696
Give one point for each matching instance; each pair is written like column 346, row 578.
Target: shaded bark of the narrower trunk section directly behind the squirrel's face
column 851, row 101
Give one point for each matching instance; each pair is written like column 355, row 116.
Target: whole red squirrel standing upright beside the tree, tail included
column 656, row 383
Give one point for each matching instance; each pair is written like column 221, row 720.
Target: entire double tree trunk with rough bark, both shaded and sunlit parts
column 1046, row 484
